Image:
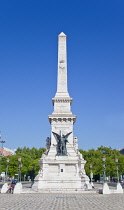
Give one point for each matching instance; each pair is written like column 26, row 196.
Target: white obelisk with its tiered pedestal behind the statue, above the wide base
column 62, row 119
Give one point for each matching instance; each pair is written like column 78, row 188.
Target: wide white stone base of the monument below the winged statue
column 61, row 174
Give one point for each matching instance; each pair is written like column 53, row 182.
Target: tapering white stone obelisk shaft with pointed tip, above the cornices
column 62, row 89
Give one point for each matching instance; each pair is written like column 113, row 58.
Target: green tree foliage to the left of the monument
column 29, row 161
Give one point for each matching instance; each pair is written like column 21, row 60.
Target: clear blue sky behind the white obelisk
column 28, row 69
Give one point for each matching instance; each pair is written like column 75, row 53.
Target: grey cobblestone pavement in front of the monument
column 61, row 201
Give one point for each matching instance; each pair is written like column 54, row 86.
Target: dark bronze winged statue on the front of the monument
column 61, row 143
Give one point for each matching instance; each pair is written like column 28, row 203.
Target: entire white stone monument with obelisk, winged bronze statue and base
column 62, row 165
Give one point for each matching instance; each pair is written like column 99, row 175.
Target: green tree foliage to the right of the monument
column 94, row 157
